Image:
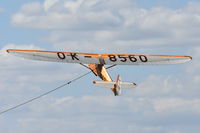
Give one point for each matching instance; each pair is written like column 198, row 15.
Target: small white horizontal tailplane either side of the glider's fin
column 106, row 84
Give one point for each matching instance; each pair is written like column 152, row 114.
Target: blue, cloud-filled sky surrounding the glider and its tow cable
column 166, row 99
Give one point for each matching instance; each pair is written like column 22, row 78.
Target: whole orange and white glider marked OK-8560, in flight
column 96, row 63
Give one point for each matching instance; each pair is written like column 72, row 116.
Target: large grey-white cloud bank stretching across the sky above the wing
column 93, row 25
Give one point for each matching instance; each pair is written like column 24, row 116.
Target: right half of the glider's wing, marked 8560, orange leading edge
column 123, row 59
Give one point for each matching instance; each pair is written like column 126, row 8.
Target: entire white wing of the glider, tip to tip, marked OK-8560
column 104, row 59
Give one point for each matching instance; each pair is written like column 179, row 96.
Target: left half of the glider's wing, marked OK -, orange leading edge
column 55, row 56
